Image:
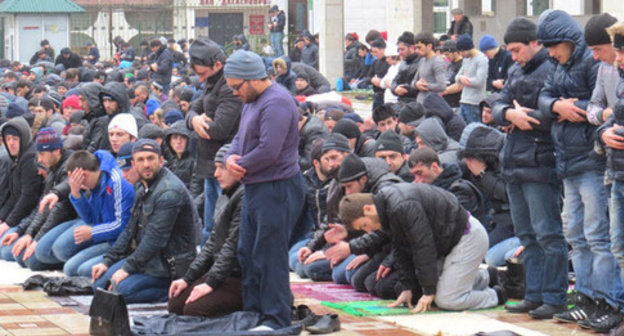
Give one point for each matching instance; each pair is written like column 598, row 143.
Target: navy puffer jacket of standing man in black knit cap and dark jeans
column 527, row 156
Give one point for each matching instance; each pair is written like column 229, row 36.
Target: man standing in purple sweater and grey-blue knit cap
column 264, row 155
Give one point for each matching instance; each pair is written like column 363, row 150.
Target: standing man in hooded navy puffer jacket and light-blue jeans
column 566, row 96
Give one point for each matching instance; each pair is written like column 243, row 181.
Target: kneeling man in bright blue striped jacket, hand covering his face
column 102, row 199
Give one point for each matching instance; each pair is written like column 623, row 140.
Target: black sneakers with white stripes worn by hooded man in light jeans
column 591, row 314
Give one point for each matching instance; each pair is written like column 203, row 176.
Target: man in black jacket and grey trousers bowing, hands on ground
column 427, row 224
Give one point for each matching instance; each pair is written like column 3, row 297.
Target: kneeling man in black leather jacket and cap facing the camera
column 158, row 244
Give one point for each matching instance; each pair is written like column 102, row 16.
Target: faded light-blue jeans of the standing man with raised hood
column 587, row 231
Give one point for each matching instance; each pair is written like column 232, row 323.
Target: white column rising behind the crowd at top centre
column 331, row 36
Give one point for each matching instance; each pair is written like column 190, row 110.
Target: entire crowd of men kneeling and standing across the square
column 178, row 173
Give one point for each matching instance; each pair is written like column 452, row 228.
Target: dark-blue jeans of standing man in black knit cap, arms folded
column 535, row 210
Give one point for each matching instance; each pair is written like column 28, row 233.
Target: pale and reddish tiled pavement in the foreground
column 32, row 313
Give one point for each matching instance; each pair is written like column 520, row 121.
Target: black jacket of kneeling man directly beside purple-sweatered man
column 218, row 257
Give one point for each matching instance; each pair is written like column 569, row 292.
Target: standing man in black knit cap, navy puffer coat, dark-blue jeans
column 528, row 164
